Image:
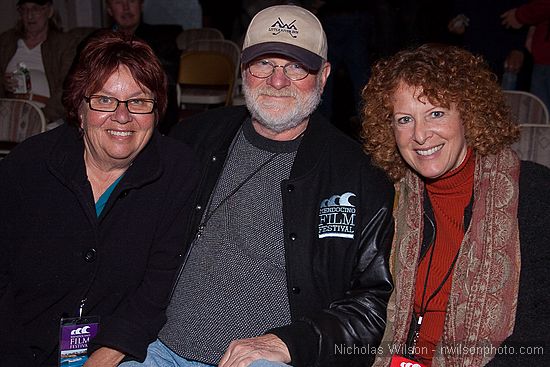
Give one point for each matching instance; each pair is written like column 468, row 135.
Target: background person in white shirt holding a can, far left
column 46, row 52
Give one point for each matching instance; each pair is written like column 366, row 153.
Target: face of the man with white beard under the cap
column 279, row 104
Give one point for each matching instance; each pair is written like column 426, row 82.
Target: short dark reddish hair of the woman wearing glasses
column 103, row 53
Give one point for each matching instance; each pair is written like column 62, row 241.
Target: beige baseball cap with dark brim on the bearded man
column 287, row 30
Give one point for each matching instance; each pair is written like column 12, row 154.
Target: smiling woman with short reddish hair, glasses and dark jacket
column 92, row 214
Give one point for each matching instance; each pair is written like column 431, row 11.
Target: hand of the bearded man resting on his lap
column 241, row 353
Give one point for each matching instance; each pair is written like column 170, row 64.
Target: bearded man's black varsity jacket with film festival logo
column 337, row 213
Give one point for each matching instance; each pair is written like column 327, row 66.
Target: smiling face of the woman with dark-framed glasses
column 114, row 139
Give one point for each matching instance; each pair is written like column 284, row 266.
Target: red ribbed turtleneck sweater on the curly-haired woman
column 449, row 195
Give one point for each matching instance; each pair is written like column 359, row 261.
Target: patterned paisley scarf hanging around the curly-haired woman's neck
column 482, row 305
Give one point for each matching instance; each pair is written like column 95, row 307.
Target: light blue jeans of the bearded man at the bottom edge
column 159, row 355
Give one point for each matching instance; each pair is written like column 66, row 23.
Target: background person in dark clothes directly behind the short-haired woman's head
column 127, row 17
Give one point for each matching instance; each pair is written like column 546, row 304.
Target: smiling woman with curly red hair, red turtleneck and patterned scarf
column 471, row 248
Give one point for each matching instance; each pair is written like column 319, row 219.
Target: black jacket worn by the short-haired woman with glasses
column 55, row 251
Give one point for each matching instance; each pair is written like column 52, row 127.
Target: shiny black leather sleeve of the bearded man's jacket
column 350, row 330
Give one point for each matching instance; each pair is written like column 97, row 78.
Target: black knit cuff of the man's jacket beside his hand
column 301, row 340
